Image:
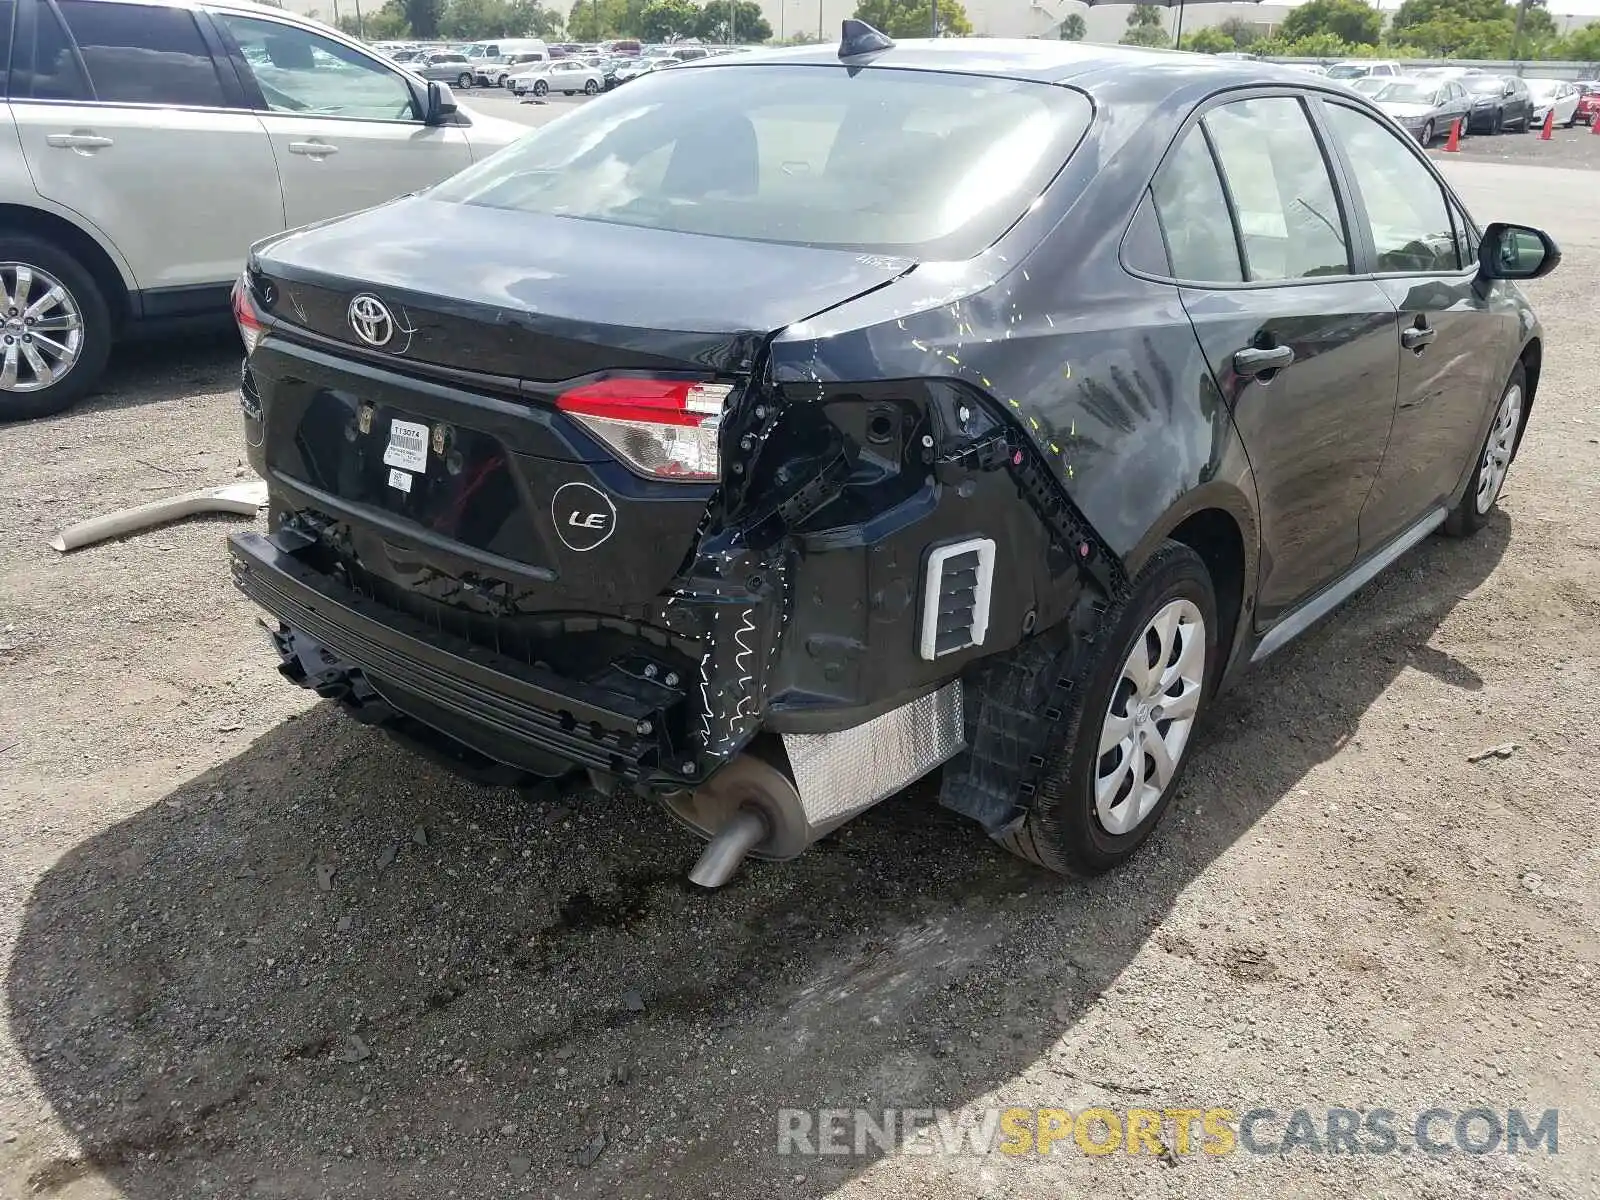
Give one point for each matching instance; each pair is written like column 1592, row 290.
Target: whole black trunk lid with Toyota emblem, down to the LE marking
column 438, row 442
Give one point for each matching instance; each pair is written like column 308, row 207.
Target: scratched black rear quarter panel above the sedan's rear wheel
column 1098, row 369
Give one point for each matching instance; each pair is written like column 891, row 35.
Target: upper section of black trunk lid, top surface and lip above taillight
column 546, row 298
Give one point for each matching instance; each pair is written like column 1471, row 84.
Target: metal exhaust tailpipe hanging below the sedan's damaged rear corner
column 748, row 809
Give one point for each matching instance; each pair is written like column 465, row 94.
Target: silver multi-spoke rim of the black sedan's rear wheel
column 1151, row 716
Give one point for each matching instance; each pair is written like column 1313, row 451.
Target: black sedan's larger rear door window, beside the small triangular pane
column 1284, row 198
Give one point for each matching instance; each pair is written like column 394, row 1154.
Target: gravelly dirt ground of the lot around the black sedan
column 257, row 951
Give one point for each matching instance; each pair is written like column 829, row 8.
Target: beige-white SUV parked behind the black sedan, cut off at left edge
column 148, row 143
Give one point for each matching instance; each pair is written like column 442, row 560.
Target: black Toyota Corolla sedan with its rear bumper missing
column 791, row 425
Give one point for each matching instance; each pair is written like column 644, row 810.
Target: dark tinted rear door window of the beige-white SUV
column 143, row 55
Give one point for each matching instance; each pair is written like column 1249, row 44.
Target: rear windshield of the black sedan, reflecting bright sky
column 911, row 162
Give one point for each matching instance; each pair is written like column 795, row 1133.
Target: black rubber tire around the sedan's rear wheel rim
column 1062, row 831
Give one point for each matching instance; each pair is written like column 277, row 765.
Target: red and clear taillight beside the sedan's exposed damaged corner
column 660, row 428
